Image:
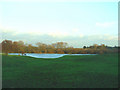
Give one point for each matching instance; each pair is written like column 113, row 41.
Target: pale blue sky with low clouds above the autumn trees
column 76, row 22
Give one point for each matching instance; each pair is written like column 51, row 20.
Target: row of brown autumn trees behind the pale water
column 9, row 46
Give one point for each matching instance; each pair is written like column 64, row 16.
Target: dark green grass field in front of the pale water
column 100, row 71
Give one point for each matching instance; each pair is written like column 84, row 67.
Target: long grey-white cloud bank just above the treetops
column 76, row 41
